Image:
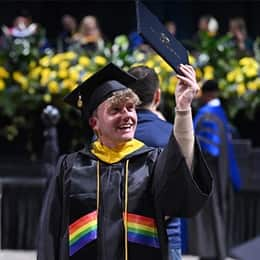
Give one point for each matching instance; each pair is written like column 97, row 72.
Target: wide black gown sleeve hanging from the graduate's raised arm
column 177, row 191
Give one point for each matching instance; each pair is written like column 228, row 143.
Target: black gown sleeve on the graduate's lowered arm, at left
column 52, row 231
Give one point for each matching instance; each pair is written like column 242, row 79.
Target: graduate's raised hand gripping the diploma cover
column 187, row 87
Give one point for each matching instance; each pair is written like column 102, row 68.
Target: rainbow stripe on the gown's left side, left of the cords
column 82, row 232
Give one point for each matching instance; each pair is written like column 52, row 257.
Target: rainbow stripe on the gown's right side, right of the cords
column 142, row 230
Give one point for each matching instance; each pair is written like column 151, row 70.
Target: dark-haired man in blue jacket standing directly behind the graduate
column 153, row 130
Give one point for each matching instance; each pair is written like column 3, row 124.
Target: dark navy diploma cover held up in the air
column 162, row 41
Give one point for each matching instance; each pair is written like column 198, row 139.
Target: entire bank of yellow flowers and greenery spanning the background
column 31, row 79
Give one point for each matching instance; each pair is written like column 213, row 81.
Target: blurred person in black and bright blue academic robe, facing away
column 210, row 231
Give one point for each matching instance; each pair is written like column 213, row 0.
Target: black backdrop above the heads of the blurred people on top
column 117, row 17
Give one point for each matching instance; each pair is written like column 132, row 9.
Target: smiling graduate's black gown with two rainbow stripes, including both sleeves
column 158, row 184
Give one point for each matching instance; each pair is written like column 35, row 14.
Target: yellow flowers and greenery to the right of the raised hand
column 238, row 77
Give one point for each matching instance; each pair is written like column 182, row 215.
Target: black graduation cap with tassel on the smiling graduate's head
column 93, row 91
